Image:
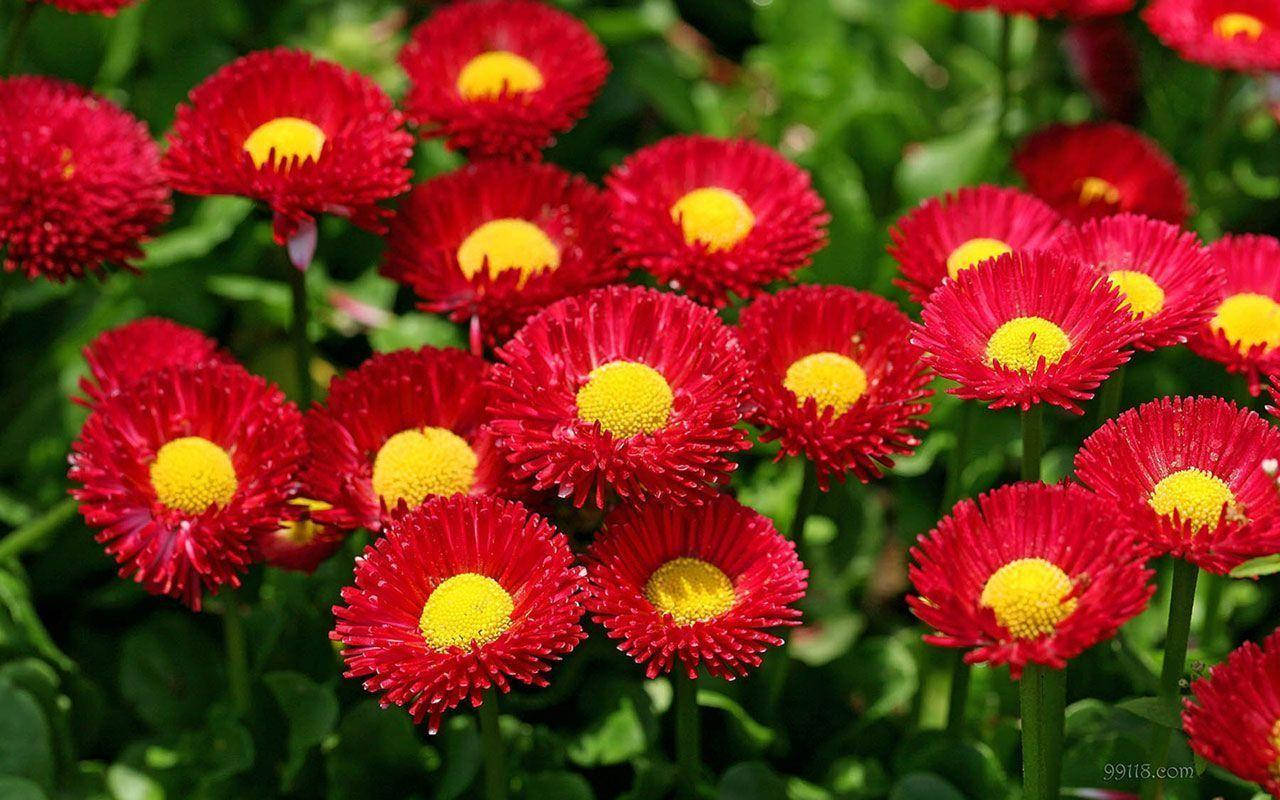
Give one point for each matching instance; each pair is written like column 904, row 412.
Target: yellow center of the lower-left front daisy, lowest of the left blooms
column 465, row 609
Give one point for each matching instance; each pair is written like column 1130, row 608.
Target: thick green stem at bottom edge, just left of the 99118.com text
column 1044, row 701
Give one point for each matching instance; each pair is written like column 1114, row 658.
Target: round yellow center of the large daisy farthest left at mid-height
column 191, row 474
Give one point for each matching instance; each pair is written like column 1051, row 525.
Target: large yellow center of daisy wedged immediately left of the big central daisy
column 418, row 464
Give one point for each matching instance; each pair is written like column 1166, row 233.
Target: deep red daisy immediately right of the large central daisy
column 835, row 377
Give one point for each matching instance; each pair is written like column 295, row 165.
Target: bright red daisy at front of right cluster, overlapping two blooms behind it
column 1025, row 330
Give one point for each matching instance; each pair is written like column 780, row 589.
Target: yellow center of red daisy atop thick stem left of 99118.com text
column 1028, row 597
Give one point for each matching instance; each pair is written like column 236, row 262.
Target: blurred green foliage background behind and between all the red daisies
column 109, row 693
